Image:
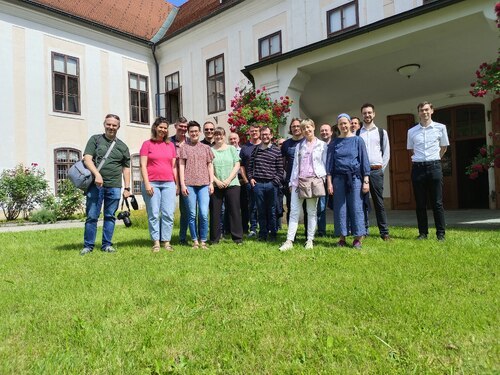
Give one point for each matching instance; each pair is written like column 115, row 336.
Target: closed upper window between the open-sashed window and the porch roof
column 216, row 95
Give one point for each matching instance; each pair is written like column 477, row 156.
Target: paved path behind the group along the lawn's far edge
column 484, row 219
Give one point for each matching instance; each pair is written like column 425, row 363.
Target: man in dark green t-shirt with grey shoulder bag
column 107, row 183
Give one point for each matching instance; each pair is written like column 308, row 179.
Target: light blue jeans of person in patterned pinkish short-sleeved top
column 198, row 195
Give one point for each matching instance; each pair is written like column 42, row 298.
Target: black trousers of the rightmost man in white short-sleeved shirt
column 427, row 181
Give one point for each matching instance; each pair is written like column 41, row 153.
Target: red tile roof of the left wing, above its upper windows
column 140, row 18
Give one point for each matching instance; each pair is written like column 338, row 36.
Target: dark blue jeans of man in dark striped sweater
column 265, row 197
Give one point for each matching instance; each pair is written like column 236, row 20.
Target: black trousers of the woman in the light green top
column 231, row 198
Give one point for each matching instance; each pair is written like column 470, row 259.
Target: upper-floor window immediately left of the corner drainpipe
column 139, row 98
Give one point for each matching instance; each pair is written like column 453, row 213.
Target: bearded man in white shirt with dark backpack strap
column 377, row 146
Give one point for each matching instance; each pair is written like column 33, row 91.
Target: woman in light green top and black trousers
column 226, row 164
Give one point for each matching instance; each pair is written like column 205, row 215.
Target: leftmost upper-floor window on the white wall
column 65, row 84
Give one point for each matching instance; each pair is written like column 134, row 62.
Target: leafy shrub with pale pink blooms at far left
column 22, row 189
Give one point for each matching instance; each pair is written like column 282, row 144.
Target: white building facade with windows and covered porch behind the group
column 329, row 56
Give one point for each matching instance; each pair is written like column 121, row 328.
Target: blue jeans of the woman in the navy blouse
column 348, row 204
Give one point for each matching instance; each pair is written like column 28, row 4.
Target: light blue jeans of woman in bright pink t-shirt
column 163, row 200
